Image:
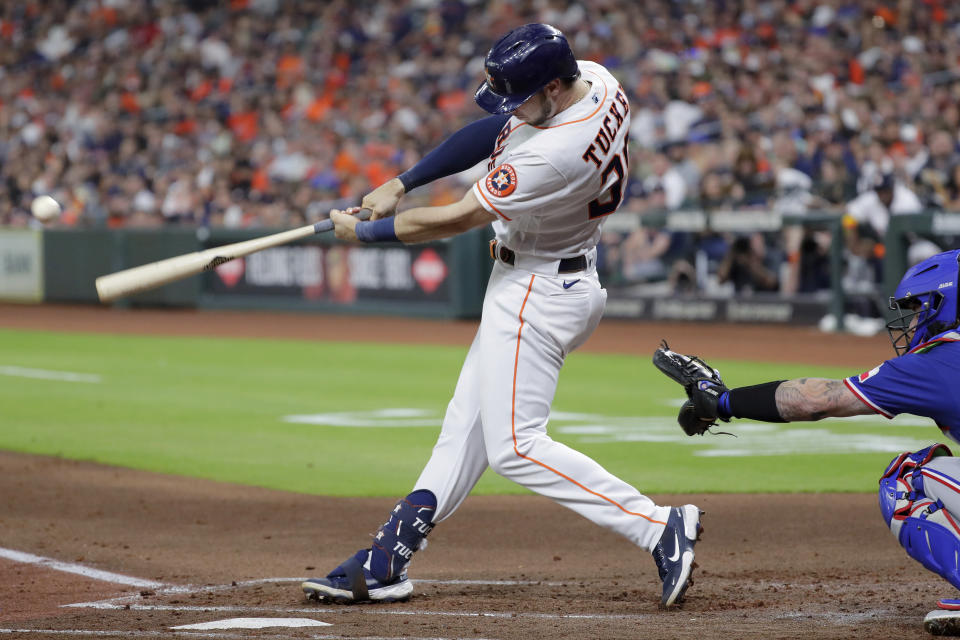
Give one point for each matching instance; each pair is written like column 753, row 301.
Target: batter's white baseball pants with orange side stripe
column 532, row 318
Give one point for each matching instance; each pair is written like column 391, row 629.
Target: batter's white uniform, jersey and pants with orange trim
column 550, row 187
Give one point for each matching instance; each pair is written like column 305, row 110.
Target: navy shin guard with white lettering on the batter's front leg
column 403, row 534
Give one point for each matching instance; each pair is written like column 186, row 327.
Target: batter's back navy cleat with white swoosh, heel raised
column 674, row 553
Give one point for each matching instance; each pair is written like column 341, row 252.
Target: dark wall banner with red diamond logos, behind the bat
column 337, row 274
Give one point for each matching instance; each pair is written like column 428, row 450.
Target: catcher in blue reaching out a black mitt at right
column 919, row 491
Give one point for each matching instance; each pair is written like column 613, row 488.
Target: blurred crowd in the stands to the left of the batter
column 239, row 113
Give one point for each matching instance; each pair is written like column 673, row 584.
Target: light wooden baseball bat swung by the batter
column 156, row 274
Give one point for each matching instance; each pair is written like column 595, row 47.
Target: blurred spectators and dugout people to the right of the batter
column 849, row 108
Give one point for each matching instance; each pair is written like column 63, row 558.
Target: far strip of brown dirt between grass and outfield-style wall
column 764, row 343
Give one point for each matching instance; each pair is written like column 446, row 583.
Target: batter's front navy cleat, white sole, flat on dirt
column 352, row 582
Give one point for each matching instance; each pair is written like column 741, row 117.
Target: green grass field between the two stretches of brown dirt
column 214, row 408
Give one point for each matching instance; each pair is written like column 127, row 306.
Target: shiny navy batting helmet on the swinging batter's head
column 521, row 63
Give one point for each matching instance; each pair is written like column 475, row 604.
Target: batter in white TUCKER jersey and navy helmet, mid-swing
column 557, row 157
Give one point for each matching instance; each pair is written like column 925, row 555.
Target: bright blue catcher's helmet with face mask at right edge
column 928, row 294
